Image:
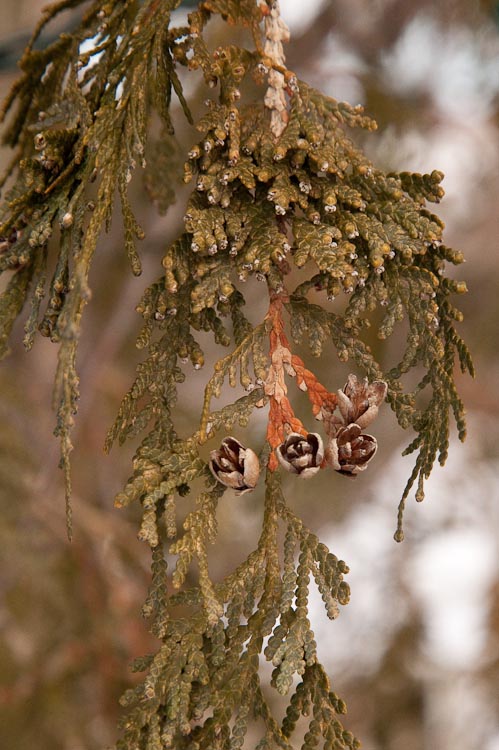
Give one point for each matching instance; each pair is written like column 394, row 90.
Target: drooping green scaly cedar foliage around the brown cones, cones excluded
column 306, row 204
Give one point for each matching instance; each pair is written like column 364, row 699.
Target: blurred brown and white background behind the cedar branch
column 416, row 652
